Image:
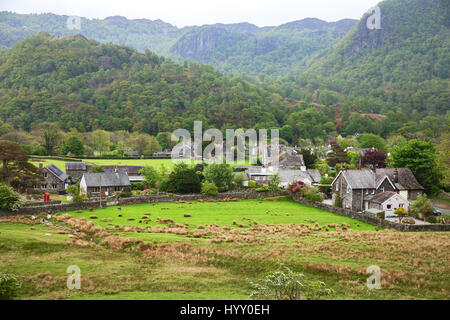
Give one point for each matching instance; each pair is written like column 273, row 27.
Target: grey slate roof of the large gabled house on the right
column 367, row 179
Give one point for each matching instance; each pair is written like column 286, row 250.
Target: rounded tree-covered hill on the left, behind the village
column 83, row 84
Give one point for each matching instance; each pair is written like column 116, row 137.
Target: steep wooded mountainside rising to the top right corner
column 401, row 69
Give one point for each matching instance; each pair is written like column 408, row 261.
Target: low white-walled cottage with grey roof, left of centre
column 106, row 183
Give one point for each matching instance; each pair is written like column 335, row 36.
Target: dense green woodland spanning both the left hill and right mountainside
column 390, row 82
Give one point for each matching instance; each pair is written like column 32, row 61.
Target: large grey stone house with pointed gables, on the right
column 356, row 186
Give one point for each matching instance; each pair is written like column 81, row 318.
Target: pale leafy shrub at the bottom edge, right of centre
column 285, row 284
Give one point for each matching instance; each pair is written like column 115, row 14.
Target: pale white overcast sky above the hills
column 198, row 12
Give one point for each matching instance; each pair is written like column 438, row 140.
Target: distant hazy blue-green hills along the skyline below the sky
column 232, row 48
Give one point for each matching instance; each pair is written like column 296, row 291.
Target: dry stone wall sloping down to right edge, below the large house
column 375, row 221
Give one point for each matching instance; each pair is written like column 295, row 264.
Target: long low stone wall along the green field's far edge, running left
column 53, row 208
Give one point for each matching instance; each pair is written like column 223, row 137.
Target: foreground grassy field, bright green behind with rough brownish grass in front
column 155, row 252
